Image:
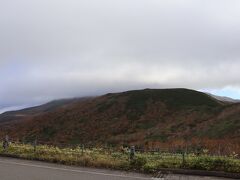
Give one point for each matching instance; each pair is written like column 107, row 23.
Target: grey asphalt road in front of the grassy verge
column 16, row 169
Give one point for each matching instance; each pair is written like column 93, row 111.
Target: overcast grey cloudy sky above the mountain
column 52, row 49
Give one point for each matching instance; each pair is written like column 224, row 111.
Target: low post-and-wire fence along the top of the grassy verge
column 184, row 151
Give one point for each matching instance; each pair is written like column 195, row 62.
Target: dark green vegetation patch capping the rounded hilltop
column 175, row 99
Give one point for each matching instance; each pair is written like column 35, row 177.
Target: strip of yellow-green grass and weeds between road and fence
column 102, row 158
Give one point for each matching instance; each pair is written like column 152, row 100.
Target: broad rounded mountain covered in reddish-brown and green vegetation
column 167, row 116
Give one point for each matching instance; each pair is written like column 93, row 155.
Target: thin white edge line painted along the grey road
column 72, row 170
